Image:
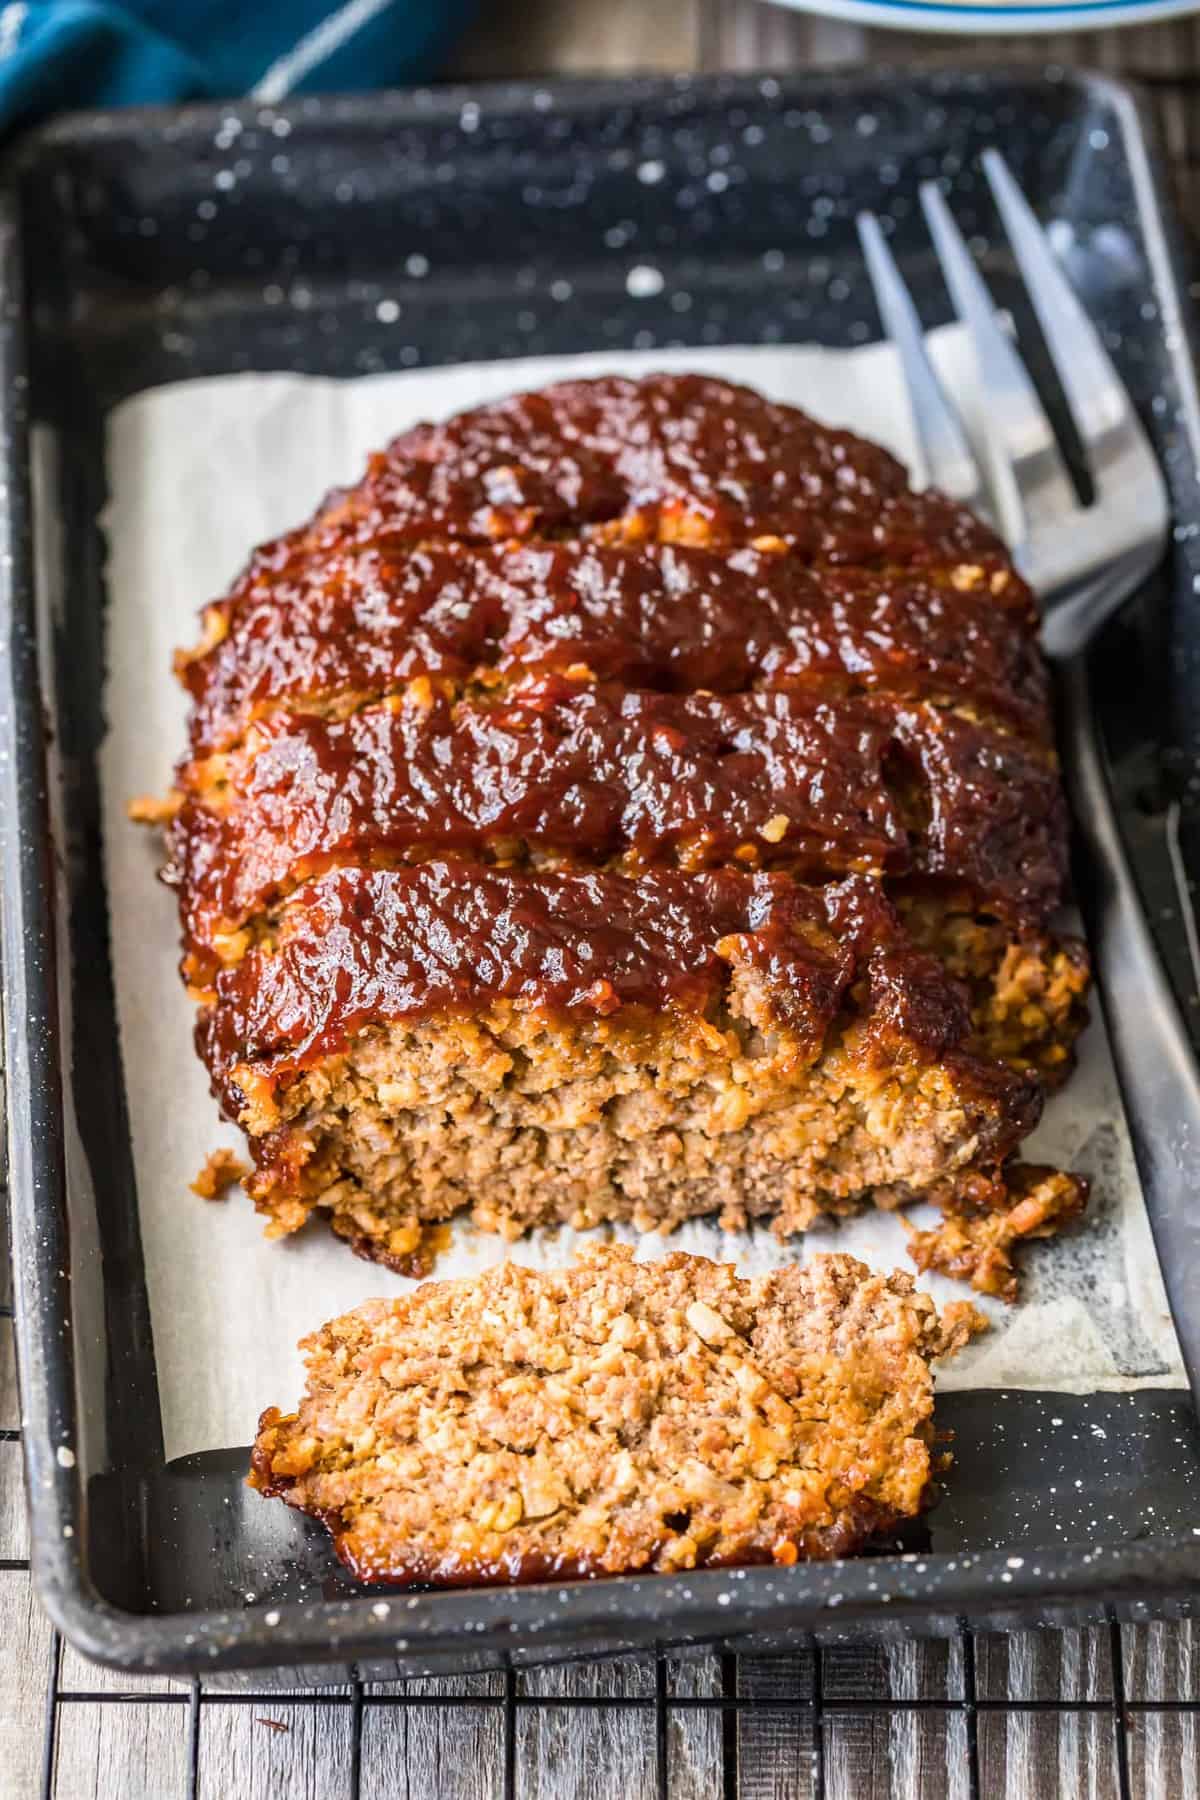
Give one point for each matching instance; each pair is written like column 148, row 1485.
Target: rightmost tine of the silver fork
column 1091, row 384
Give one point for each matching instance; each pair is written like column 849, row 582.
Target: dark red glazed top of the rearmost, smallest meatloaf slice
column 672, row 458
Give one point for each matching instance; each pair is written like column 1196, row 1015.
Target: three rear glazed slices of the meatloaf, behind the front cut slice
column 746, row 643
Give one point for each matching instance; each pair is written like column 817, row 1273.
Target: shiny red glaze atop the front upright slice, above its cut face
column 449, row 937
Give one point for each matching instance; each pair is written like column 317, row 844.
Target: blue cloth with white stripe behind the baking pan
column 58, row 55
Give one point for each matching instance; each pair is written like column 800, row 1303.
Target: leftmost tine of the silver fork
column 942, row 442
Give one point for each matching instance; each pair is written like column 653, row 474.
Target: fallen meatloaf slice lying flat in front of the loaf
column 616, row 1417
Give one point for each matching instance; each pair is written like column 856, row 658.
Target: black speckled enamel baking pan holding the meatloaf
column 152, row 247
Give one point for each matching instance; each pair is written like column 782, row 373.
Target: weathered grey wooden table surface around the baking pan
column 1044, row 1707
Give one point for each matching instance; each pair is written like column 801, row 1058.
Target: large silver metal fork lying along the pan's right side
column 1082, row 564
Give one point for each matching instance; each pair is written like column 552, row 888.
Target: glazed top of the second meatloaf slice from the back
column 319, row 633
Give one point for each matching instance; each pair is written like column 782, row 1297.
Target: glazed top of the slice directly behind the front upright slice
column 607, row 775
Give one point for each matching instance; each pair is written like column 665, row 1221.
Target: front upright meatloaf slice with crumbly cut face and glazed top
column 591, row 1047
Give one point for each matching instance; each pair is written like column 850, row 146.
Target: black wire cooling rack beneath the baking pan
column 762, row 1741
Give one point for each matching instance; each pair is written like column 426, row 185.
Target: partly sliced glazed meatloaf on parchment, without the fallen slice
column 629, row 802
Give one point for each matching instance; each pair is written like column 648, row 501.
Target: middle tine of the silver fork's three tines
column 1016, row 415
